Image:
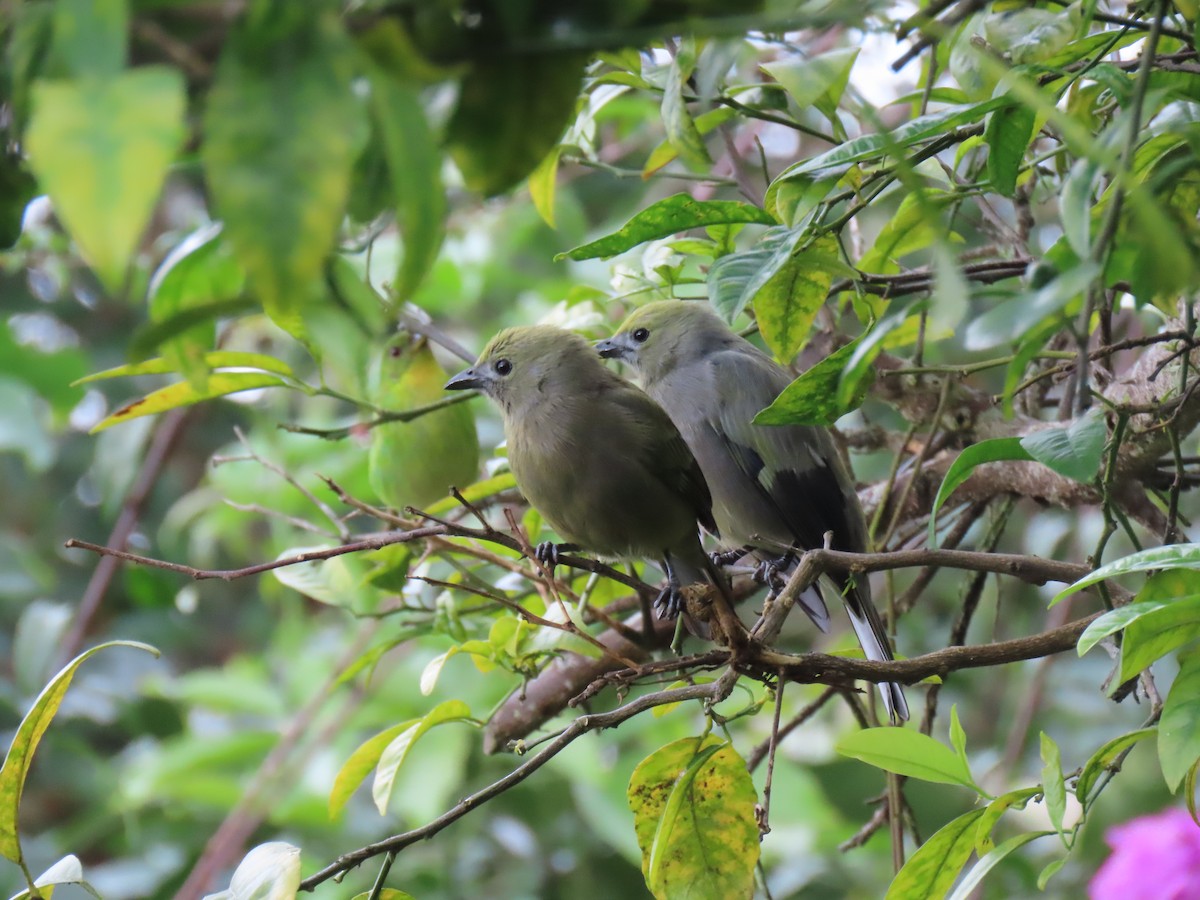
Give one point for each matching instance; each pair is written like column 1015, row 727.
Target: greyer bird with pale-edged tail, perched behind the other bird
column 775, row 488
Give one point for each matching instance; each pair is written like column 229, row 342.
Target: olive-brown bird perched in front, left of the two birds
column 601, row 461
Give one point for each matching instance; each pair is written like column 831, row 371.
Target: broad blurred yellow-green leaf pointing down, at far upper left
column 101, row 151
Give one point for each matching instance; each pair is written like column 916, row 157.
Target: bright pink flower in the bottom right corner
column 1154, row 859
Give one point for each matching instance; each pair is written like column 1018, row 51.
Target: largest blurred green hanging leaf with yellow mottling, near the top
column 284, row 128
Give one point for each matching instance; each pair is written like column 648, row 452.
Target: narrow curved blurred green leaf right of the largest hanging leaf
column 415, row 166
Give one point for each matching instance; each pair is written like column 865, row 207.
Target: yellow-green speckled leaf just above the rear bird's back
column 788, row 303
